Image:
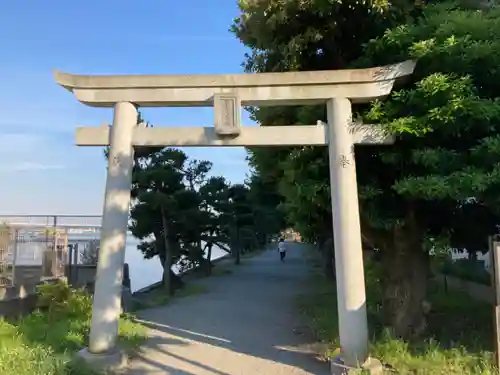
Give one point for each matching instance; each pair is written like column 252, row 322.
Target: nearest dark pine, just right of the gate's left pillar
column 167, row 214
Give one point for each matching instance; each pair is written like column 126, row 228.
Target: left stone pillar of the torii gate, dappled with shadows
column 108, row 285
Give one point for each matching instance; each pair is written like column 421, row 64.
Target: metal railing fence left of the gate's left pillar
column 37, row 247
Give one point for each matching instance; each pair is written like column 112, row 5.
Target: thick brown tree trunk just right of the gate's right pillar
column 406, row 270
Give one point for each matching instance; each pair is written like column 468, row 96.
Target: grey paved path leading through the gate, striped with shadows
column 246, row 324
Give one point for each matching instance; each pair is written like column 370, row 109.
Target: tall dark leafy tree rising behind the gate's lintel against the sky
column 306, row 35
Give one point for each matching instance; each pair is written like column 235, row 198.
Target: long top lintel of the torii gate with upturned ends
column 290, row 88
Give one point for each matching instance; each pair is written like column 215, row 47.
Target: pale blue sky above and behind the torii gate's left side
column 41, row 171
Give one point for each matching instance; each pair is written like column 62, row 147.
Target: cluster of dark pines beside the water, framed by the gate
column 179, row 212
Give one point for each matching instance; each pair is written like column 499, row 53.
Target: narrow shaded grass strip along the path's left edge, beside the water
column 157, row 297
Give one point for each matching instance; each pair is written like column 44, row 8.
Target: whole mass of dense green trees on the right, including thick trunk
column 439, row 180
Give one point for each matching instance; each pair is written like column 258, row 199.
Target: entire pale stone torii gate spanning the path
column 227, row 93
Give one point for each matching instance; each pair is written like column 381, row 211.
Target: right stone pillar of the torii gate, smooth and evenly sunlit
column 351, row 297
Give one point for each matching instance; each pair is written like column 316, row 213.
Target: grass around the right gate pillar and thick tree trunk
column 459, row 337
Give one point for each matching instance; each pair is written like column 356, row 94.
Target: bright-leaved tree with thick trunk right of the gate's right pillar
column 441, row 177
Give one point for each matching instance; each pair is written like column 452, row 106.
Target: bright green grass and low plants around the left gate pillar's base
column 44, row 343
